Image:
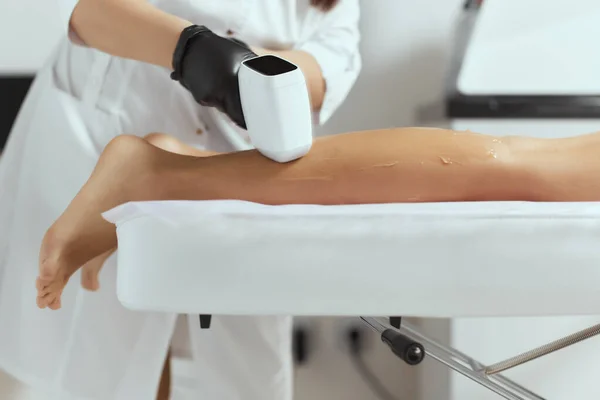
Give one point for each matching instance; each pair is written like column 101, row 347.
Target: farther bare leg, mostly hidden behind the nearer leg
column 91, row 270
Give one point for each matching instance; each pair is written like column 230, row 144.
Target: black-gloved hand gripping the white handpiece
column 207, row 65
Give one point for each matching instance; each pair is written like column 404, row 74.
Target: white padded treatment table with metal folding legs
column 377, row 262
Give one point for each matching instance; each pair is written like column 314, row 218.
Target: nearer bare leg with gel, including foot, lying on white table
column 397, row 165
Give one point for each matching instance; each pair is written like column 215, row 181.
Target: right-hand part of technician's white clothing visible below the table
column 246, row 358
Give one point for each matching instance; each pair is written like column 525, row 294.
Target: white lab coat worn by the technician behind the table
column 93, row 348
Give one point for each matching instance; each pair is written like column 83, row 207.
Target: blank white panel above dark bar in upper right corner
column 550, row 40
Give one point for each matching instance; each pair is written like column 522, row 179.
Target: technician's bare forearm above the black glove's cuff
column 128, row 28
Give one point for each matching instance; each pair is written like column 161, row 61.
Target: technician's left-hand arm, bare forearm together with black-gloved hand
column 203, row 62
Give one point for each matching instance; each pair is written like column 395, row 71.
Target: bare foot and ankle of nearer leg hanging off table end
column 122, row 174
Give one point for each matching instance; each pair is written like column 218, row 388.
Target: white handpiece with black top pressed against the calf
column 276, row 107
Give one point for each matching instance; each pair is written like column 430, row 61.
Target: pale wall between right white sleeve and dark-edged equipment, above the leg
column 405, row 47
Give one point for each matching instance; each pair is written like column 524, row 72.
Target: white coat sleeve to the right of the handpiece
column 335, row 46
